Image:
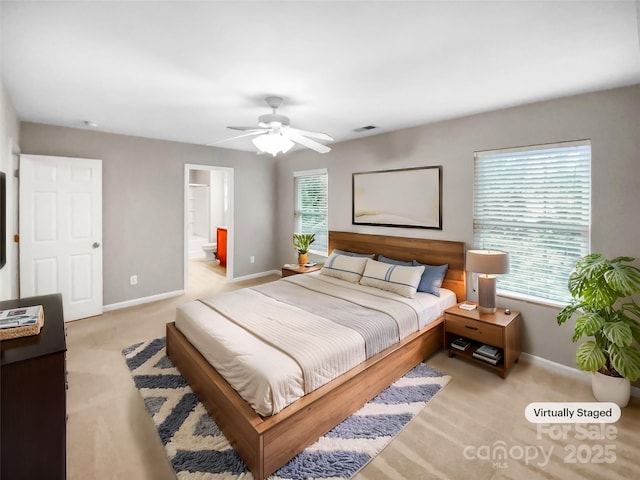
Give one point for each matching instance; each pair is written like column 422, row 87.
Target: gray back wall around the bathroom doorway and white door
column 143, row 204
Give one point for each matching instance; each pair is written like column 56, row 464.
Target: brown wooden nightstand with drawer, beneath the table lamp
column 495, row 329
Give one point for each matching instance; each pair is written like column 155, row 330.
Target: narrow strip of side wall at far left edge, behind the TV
column 9, row 141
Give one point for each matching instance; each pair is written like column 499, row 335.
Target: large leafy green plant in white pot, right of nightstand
column 601, row 291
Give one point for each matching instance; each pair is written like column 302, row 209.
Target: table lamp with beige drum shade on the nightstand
column 487, row 263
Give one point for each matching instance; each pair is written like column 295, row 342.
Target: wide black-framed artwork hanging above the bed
column 407, row 198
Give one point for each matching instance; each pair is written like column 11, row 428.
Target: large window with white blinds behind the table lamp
column 535, row 204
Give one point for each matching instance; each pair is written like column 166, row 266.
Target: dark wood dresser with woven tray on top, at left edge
column 33, row 397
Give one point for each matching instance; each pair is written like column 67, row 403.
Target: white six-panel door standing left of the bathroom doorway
column 61, row 231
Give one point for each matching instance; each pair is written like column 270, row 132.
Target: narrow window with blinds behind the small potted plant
column 311, row 207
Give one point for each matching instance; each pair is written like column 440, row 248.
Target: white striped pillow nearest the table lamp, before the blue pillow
column 399, row 279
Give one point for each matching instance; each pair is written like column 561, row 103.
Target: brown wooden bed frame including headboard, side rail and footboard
column 267, row 443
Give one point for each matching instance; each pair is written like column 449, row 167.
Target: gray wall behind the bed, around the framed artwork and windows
column 610, row 119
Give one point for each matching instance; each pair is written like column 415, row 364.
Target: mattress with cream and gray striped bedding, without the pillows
column 276, row 342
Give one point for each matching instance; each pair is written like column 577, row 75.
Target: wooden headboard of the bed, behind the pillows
column 431, row 252
